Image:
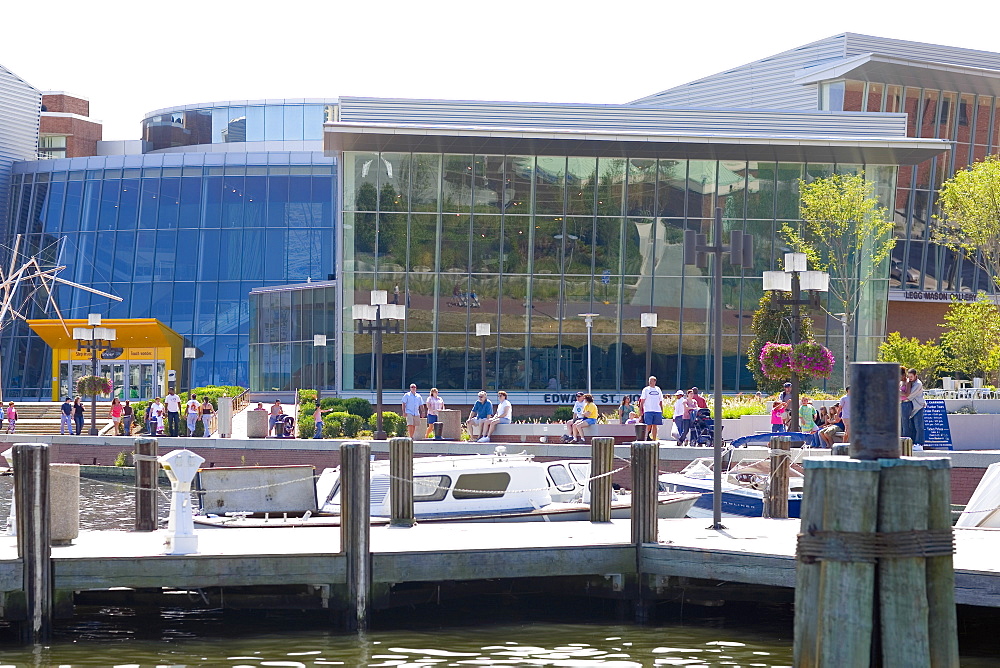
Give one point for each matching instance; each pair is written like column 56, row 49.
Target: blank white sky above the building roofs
column 130, row 58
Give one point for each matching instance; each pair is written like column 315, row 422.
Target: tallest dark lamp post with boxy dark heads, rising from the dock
column 696, row 251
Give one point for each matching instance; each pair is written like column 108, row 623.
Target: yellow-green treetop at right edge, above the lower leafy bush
column 970, row 215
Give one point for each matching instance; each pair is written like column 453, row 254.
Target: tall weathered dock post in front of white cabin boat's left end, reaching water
column 355, row 484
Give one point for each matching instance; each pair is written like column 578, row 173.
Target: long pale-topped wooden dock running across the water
column 306, row 568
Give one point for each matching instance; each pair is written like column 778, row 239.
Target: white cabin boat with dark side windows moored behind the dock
column 467, row 488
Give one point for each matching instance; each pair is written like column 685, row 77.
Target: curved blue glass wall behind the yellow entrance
column 181, row 237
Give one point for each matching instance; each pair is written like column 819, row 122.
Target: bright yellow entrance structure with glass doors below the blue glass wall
column 139, row 365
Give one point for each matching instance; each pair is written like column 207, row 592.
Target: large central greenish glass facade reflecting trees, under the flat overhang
column 527, row 243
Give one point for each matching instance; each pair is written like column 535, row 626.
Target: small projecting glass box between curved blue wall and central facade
column 284, row 324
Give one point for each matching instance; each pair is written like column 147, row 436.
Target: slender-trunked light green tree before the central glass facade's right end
column 844, row 232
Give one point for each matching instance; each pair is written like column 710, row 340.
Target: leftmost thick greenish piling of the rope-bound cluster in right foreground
column 833, row 594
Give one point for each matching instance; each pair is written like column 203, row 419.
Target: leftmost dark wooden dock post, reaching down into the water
column 31, row 488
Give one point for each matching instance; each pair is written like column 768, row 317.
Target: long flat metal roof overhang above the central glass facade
column 433, row 139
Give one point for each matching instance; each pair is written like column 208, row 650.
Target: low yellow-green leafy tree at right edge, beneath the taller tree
column 972, row 336
